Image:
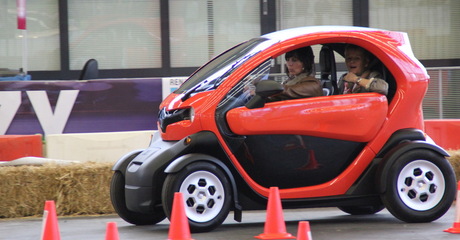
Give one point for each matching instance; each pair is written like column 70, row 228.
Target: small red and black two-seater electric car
column 223, row 145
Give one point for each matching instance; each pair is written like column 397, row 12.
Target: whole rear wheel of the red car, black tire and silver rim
column 420, row 186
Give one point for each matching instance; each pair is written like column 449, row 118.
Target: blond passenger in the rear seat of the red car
column 360, row 78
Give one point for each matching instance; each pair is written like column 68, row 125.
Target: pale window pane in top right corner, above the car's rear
column 433, row 26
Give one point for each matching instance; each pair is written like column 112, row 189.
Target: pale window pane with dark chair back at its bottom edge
column 118, row 34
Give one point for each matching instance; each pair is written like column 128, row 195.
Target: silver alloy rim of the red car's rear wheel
column 421, row 185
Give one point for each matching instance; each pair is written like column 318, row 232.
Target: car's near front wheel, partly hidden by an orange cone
column 194, row 181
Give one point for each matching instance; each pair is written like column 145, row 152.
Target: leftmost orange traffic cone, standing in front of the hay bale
column 50, row 229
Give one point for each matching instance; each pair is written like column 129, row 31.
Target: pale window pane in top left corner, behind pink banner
column 42, row 33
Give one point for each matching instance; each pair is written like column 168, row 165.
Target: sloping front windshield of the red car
column 216, row 71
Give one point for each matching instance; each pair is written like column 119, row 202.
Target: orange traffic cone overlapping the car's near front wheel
column 179, row 228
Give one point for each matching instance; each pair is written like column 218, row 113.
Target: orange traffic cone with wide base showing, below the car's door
column 275, row 227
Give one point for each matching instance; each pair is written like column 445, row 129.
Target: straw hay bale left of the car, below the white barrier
column 77, row 189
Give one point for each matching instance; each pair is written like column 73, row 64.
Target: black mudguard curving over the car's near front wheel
column 187, row 159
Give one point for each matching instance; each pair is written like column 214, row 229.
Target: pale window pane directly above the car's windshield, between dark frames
column 202, row 29
